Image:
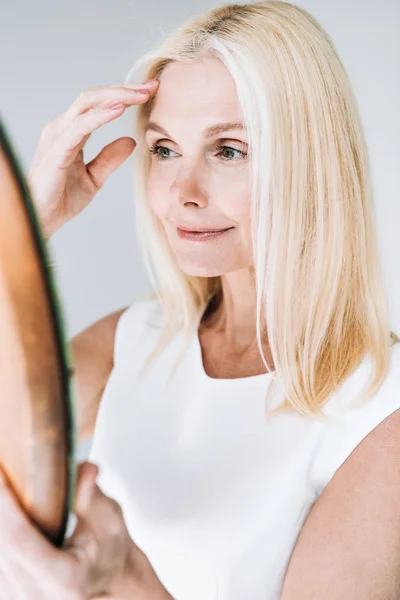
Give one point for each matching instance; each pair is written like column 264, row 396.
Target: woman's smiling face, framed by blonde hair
column 192, row 183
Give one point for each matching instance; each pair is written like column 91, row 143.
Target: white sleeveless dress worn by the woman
column 212, row 492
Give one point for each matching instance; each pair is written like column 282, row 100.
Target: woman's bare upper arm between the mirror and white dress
column 92, row 352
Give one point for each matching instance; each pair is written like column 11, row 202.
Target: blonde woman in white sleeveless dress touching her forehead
column 245, row 416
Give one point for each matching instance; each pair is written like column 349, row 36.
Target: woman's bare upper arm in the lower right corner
column 349, row 546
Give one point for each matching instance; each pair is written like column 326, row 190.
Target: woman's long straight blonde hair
column 317, row 267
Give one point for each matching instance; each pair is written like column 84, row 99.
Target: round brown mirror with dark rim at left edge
column 37, row 428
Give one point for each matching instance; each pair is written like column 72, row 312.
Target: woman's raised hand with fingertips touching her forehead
column 60, row 182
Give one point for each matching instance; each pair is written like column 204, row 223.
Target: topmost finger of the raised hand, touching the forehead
column 106, row 95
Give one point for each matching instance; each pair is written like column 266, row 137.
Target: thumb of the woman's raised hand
column 110, row 159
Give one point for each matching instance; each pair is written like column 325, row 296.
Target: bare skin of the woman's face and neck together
column 191, row 184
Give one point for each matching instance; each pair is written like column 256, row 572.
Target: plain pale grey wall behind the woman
column 50, row 51
